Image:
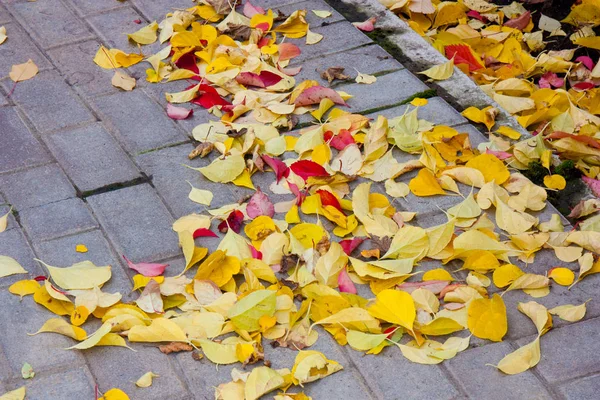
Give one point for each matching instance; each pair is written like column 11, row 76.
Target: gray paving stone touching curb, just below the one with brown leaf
column 397, row 86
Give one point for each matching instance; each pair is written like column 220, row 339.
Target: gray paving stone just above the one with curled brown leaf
column 337, row 37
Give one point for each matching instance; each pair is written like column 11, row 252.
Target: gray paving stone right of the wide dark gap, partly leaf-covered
column 169, row 176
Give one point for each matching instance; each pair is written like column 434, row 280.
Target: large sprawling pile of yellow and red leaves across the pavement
column 327, row 248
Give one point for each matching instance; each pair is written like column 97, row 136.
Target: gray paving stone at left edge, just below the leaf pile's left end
column 43, row 351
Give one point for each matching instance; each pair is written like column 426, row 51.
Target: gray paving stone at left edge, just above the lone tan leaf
column 19, row 48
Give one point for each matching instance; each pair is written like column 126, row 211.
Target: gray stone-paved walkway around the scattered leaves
column 69, row 131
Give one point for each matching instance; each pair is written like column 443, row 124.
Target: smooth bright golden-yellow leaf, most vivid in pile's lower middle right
column 395, row 307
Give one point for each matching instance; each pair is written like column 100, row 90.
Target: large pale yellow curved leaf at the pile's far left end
column 82, row 275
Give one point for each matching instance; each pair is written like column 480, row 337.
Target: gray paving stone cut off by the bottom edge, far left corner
column 72, row 384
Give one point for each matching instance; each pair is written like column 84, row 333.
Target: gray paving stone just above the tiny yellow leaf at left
column 57, row 219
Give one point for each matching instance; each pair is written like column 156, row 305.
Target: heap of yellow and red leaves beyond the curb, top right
column 543, row 71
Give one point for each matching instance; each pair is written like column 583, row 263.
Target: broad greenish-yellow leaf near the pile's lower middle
column 246, row 313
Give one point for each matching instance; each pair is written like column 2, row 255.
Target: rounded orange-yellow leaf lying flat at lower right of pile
column 487, row 318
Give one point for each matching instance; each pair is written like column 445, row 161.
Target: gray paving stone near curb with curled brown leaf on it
column 366, row 59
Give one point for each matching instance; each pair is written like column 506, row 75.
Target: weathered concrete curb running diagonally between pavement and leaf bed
column 418, row 55
